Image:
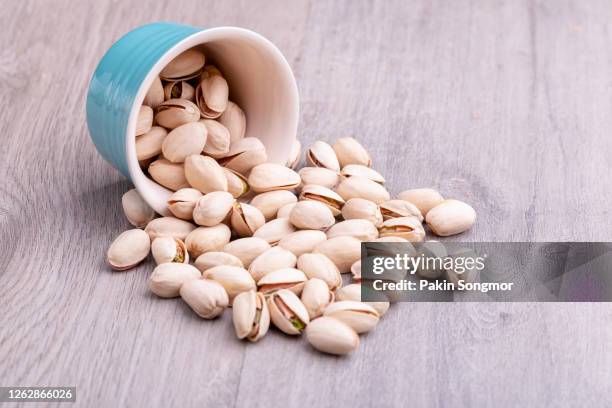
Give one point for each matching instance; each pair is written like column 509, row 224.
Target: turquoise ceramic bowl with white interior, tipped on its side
column 259, row 78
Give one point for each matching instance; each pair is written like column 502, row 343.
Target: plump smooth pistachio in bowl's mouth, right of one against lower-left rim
column 205, row 174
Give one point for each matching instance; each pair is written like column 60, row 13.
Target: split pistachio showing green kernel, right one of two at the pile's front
column 287, row 312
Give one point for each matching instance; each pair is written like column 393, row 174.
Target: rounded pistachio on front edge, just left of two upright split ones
column 207, row 298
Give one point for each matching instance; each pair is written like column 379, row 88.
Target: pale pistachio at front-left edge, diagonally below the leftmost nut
column 167, row 279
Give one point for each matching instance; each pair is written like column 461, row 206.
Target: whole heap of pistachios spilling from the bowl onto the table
column 267, row 240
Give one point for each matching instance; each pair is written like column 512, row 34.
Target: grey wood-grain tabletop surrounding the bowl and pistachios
column 505, row 104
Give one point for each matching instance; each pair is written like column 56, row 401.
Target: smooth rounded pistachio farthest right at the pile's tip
column 450, row 217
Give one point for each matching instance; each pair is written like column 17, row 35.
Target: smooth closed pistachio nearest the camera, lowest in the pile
column 331, row 336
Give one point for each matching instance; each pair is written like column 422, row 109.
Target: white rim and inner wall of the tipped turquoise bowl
column 260, row 82
